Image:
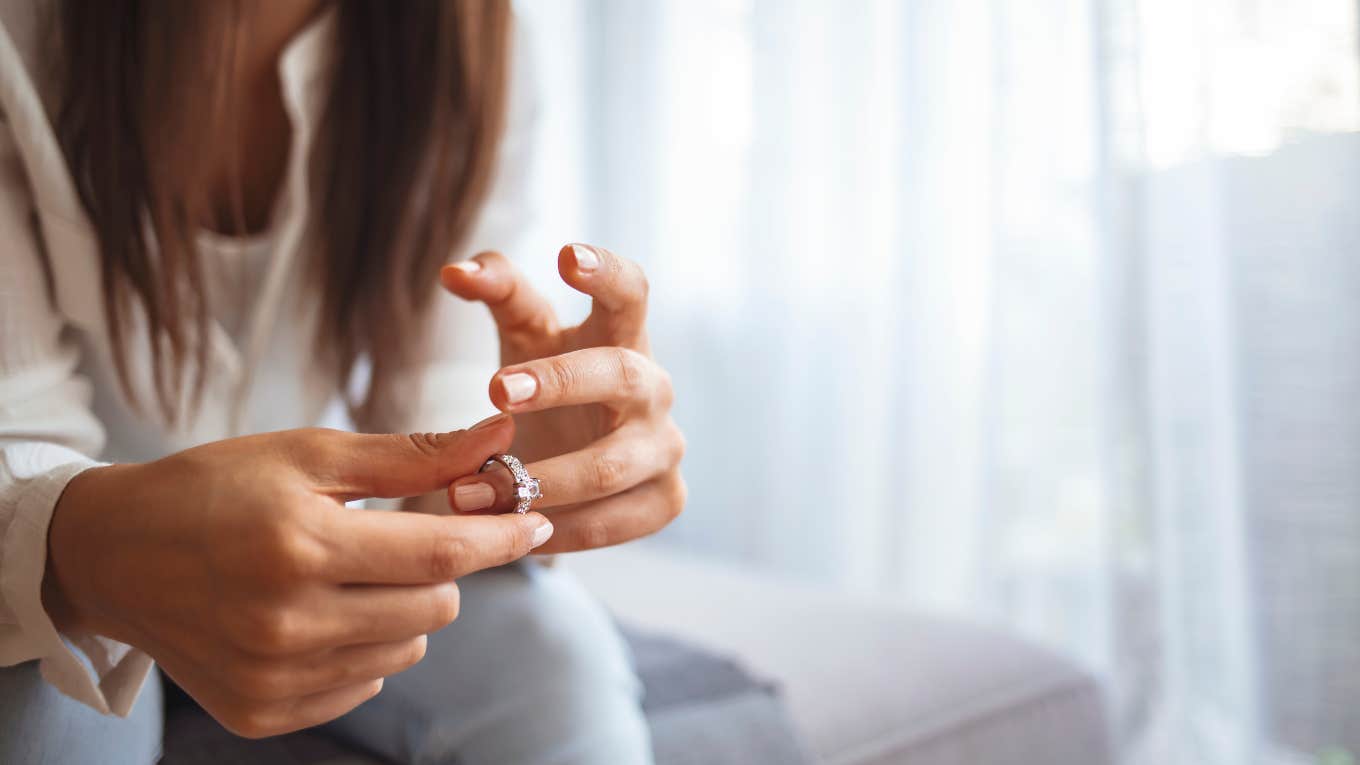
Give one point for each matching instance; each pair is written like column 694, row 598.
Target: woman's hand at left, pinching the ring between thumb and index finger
column 239, row 570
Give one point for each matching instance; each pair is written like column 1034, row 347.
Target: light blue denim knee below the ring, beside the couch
column 532, row 672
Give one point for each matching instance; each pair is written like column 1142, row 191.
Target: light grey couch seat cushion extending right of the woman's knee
column 867, row 683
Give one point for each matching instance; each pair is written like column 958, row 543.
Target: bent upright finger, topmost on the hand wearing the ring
column 618, row 288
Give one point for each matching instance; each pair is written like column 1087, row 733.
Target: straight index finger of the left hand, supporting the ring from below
column 387, row 548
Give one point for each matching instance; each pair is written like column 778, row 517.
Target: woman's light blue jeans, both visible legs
column 534, row 672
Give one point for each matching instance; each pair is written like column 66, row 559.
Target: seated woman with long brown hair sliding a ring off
column 217, row 218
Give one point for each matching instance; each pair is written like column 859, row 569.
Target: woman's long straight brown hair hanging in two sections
column 399, row 169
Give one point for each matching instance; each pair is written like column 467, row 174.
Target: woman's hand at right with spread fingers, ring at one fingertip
column 594, row 409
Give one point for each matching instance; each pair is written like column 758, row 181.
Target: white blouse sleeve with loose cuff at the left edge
column 48, row 435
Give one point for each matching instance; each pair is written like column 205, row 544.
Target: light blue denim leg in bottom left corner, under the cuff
column 41, row 725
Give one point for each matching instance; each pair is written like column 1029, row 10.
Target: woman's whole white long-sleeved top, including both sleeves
column 62, row 409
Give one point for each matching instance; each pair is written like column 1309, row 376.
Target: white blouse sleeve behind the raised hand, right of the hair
column 449, row 390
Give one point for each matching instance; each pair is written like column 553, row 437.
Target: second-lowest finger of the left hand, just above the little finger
column 326, row 670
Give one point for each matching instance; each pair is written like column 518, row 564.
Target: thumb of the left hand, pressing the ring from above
column 396, row 465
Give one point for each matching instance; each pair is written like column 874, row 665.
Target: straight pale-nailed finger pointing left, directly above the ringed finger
column 603, row 375
